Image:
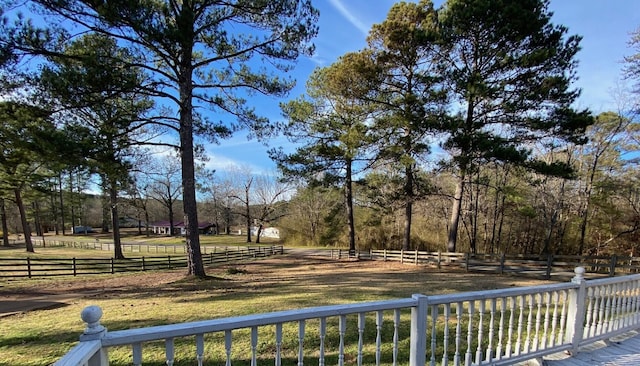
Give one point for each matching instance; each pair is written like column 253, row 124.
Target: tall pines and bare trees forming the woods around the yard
column 454, row 129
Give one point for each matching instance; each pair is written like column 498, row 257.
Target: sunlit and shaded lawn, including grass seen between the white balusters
column 41, row 337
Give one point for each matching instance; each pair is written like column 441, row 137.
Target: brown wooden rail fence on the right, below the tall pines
column 545, row 266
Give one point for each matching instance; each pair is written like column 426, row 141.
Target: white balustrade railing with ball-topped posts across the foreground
column 496, row 327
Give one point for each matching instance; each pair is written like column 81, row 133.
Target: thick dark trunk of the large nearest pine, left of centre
column 185, row 74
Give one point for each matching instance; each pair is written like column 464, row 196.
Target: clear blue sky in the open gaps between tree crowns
column 605, row 26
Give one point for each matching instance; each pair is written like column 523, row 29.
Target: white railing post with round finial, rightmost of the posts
column 576, row 312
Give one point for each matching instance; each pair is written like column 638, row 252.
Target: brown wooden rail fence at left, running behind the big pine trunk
column 31, row 267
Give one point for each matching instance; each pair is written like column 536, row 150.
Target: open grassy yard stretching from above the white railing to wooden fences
column 278, row 283
